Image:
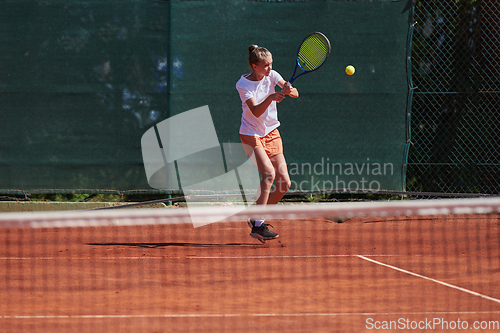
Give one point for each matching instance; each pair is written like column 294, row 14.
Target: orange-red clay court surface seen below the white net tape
column 318, row 276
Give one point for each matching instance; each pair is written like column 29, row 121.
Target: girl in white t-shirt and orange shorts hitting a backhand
column 259, row 131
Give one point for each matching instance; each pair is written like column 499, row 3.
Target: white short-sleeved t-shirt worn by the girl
column 268, row 121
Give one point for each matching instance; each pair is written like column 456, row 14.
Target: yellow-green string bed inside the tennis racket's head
column 313, row 52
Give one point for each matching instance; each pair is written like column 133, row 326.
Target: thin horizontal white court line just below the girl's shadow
column 311, row 256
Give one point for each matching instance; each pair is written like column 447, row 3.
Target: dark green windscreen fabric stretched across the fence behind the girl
column 81, row 82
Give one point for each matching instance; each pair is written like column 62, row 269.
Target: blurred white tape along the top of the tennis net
column 204, row 215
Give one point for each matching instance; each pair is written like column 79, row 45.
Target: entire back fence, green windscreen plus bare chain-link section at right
column 82, row 81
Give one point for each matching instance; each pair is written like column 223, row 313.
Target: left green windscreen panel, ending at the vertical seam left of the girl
column 80, row 81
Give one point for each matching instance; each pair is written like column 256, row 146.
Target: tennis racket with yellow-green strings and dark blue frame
column 312, row 54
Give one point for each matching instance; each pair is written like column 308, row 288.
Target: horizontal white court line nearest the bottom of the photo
column 213, row 315
